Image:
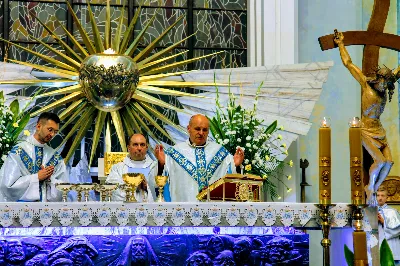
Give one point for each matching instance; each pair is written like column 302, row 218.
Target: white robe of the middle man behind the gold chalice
column 147, row 167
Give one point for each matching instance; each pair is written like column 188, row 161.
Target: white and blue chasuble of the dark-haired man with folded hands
column 19, row 174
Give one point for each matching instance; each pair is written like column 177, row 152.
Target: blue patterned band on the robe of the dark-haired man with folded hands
column 34, row 167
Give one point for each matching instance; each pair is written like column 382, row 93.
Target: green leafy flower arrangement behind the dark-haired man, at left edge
column 12, row 123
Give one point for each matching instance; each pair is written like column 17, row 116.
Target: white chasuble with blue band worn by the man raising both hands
column 190, row 168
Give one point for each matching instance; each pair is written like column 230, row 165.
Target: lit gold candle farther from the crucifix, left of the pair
column 325, row 162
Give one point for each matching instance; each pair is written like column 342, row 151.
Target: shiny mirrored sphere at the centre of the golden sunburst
column 108, row 80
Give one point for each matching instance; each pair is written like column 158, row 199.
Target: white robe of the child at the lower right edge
column 390, row 229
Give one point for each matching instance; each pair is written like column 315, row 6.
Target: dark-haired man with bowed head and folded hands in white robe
column 32, row 168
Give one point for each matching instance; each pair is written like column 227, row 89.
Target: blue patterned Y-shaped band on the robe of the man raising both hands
column 201, row 173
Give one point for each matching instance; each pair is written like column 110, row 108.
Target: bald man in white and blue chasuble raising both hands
column 196, row 163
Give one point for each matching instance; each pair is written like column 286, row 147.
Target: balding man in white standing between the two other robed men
column 137, row 161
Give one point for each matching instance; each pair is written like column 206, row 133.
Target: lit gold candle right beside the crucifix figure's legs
column 356, row 170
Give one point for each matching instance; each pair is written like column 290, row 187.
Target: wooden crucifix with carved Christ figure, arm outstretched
column 374, row 86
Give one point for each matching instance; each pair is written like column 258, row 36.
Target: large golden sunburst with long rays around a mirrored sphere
column 107, row 82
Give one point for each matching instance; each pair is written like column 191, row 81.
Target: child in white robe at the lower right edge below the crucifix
column 388, row 224
